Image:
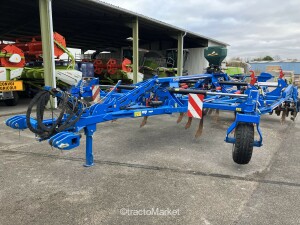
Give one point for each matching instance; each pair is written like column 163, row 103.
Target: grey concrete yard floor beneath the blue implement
column 160, row 166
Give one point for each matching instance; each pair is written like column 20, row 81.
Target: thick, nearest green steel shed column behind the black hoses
column 45, row 7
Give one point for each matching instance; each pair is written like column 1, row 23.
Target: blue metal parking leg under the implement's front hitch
column 89, row 157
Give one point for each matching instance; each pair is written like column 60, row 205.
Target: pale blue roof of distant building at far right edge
column 288, row 66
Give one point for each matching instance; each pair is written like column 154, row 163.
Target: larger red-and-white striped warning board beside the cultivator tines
column 195, row 105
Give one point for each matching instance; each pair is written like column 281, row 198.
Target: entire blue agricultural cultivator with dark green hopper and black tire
column 89, row 103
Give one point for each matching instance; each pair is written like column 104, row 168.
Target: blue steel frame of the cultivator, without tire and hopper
column 132, row 103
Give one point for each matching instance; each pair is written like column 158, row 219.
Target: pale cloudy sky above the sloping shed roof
column 253, row 28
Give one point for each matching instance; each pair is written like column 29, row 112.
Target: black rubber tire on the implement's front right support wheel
column 243, row 147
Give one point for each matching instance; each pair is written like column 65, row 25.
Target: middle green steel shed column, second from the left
column 135, row 43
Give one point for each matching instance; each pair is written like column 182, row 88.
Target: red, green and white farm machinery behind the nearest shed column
column 21, row 67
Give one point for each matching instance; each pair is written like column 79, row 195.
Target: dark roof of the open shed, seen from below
column 92, row 24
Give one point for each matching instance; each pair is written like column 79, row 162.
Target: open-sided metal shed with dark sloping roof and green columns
column 93, row 24
